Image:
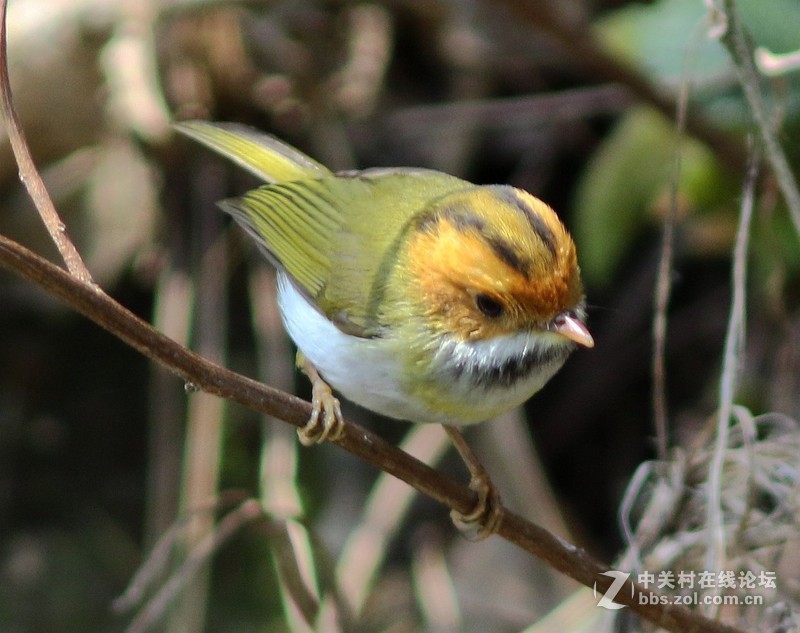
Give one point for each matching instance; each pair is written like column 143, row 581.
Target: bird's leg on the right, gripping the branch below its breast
column 488, row 512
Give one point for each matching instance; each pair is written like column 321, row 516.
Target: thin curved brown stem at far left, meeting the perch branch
column 28, row 173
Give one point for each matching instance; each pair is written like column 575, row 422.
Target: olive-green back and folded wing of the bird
column 337, row 236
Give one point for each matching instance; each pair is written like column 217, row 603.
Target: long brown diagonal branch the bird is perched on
column 562, row 556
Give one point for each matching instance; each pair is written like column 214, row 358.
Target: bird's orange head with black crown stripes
column 493, row 261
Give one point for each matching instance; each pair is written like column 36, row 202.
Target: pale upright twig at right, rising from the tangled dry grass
column 732, row 360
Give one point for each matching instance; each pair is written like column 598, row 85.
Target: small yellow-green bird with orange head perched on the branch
column 413, row 293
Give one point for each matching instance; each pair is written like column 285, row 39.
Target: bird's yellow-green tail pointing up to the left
column 261, row 154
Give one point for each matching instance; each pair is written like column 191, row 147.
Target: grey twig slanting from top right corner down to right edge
column 740, row 47
